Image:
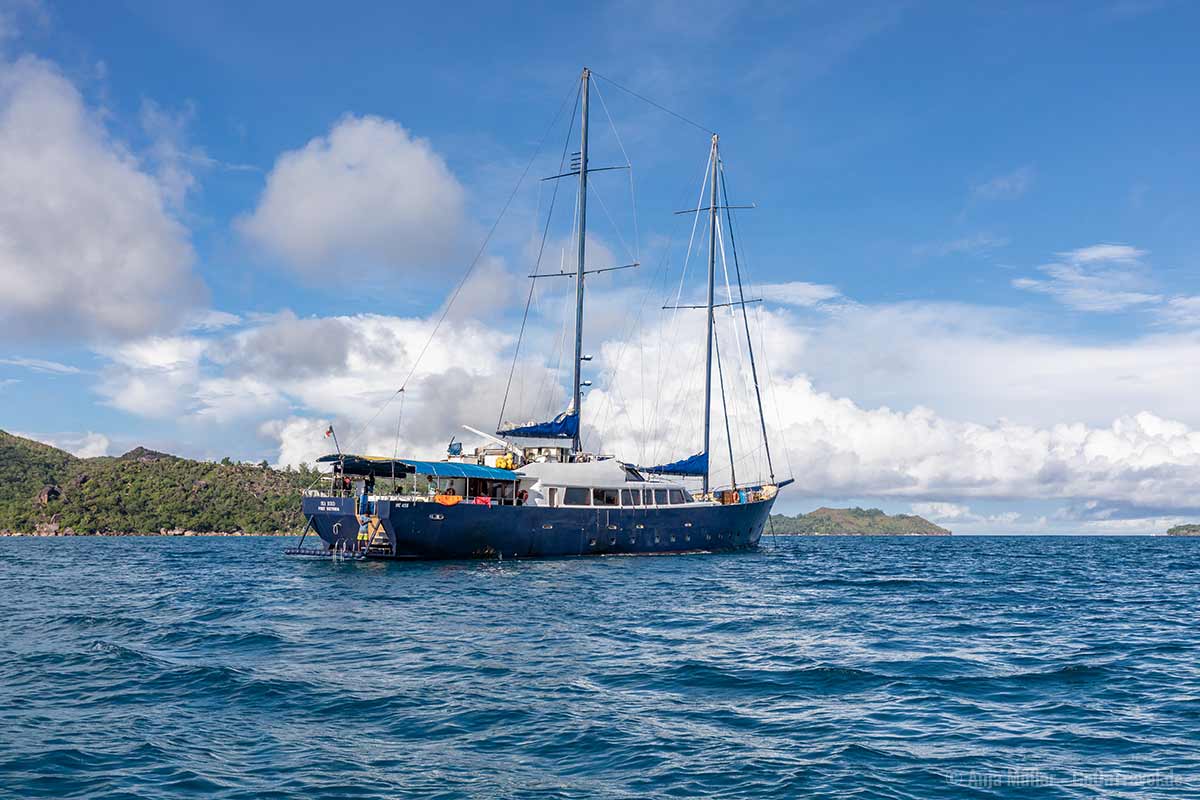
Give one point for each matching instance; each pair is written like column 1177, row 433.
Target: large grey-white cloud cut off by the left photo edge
column 88, row 248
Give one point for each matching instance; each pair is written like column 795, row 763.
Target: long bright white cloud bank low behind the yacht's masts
column 935, row 405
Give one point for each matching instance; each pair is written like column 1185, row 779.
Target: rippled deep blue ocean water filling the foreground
column 843, row 667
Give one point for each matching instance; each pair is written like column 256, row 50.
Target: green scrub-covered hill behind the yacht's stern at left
column 45, row 489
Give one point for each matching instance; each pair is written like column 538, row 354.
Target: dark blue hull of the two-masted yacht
column 429, row 531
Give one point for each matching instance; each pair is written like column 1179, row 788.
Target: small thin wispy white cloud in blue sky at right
column 1101, row 278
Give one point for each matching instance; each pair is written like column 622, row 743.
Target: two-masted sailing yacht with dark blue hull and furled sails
column 551, row 498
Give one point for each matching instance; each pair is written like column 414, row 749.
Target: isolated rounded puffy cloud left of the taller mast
column 368, row 195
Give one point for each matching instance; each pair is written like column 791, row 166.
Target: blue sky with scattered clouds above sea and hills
column 225, row 227
